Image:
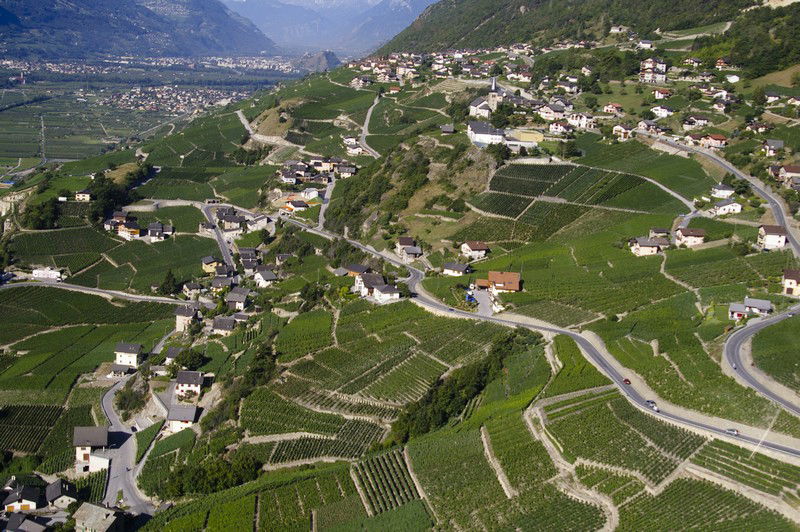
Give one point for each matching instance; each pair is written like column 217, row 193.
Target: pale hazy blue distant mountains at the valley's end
column 348, row 26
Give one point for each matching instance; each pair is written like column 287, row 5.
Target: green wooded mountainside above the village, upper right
column 483, row 23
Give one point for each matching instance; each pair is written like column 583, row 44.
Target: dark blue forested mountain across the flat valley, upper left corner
column 84, row 28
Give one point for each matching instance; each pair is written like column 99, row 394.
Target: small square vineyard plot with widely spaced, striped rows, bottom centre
column 385, row 481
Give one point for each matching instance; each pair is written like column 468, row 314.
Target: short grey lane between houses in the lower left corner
column 122, row 472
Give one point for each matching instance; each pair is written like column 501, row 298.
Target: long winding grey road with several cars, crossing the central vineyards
column 416, row 276
